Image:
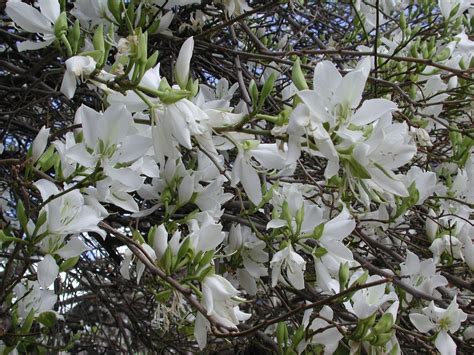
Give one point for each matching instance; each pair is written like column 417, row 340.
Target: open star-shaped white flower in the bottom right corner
column 441, row 321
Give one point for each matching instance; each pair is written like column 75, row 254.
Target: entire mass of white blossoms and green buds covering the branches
column 186, row 150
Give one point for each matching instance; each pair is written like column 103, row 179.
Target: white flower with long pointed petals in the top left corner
column 34, row 21
